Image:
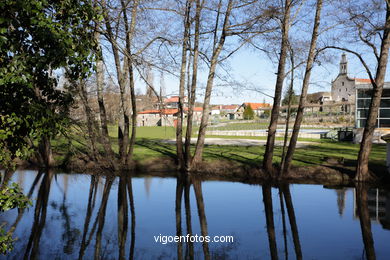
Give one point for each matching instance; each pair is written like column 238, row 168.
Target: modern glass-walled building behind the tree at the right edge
column 363, row 100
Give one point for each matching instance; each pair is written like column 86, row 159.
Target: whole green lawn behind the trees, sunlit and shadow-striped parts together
column 149, row 145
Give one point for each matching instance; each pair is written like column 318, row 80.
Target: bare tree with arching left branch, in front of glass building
column 370, row 31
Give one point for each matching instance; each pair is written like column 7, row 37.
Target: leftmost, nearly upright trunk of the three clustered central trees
column 179, row 127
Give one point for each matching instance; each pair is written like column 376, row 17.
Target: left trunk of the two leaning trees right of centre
column 269, row 148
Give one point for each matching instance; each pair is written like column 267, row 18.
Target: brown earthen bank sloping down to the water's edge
column 331, row 173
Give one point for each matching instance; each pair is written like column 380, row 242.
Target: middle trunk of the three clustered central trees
column 192, row 90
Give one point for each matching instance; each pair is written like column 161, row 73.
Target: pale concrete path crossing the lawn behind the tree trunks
column 238, row 142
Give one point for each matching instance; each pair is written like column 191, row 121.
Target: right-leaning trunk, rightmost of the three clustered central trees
column 210, row 80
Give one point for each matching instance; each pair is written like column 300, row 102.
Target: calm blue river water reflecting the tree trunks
column 78, row 216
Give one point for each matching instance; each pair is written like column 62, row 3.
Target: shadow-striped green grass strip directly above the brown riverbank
column 309, row 155
